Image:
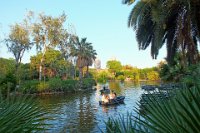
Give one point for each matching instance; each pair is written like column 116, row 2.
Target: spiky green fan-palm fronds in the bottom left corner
column 21, row 114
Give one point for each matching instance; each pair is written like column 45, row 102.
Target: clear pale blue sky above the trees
column 103, row 22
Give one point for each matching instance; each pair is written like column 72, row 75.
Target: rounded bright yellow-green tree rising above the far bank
column 114, row 66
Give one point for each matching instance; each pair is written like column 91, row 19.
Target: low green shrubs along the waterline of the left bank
column 55, row 85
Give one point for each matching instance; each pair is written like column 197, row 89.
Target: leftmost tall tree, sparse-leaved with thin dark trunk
column 18, row 42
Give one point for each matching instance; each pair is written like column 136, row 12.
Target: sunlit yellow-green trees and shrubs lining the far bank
column 116, row 71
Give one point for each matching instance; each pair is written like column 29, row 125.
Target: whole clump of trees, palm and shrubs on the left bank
column 59, row 55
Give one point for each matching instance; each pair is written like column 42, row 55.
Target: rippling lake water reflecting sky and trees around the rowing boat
column 82, row 113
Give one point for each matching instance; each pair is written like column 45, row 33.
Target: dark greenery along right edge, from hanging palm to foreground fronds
column 176, row 24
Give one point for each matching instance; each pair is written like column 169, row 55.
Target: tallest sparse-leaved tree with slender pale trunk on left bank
column 47, row 33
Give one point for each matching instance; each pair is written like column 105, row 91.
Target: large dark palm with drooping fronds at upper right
column 174, row 23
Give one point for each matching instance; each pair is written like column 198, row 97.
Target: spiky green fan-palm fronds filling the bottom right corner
column 180, row 113
